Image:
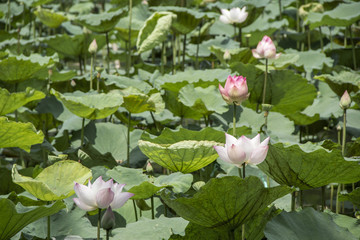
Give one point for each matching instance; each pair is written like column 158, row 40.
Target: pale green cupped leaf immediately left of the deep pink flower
column 203, row 100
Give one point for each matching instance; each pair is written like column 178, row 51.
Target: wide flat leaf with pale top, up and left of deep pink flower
column 200, row 78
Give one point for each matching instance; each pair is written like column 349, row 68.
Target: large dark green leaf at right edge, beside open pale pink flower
column 308, row 166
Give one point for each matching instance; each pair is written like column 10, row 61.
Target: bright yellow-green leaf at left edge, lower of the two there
column 16, row 134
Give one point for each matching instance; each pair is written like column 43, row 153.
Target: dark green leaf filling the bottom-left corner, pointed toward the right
column 14, row 218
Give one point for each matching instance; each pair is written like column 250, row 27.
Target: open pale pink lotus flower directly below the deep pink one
column 243, row 150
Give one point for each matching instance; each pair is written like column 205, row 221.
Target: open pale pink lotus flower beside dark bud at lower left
column 101, row 195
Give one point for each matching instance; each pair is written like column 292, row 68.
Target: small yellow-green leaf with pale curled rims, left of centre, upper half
column 137, row 102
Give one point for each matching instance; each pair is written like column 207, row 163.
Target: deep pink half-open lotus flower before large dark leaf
column 235, row 91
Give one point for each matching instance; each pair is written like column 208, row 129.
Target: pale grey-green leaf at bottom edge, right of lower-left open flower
column 159, row 228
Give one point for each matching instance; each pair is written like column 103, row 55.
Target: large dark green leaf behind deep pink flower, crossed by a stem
column 287, row 91
